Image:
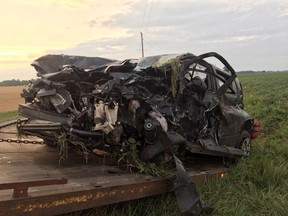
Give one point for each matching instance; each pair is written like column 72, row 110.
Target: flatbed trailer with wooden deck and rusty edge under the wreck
column 33, row 182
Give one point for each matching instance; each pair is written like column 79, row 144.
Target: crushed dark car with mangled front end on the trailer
column 178, row 103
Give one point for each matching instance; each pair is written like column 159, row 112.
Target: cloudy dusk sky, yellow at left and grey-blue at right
column 251, row 35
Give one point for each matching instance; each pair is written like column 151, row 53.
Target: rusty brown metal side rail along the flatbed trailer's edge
column 74, row 199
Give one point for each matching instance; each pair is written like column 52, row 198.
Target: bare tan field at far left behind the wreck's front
column 10, row 98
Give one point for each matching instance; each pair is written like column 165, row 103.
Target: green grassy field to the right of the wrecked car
column 258, row 185
